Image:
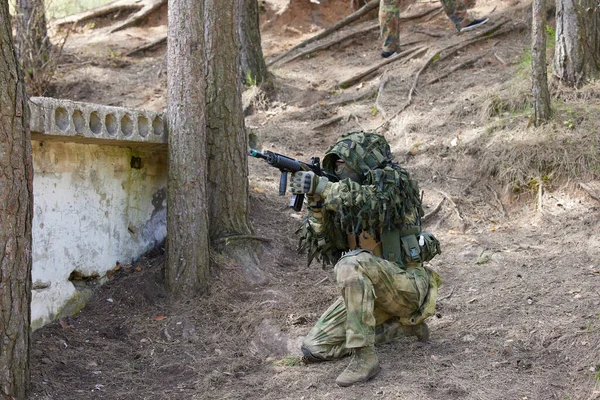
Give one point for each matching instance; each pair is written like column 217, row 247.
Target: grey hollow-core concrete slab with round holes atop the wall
column 86, row 122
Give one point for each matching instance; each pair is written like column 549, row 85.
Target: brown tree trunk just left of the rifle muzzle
column 227, row 139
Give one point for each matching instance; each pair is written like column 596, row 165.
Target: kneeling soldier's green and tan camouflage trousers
column 377, row 296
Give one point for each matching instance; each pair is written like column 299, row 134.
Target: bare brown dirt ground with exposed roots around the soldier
column 519, row 312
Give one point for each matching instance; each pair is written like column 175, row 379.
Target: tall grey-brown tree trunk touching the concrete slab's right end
column 187, row 264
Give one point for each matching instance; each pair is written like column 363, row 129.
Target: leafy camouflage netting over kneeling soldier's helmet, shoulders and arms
column 386, row 199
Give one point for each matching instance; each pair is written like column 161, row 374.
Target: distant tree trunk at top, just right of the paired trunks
column 253, row 64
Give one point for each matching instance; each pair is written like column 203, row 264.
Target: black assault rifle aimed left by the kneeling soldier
column 287, row 164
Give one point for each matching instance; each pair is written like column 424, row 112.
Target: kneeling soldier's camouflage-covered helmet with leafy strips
column 363, row 151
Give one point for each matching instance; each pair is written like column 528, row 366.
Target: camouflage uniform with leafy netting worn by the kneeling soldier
column 379, row 295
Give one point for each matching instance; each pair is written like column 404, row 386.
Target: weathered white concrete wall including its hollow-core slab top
column 99, row 196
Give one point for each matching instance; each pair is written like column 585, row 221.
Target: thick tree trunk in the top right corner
column 577, row 53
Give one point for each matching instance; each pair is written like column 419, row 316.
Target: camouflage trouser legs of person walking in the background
column 389, row 20
